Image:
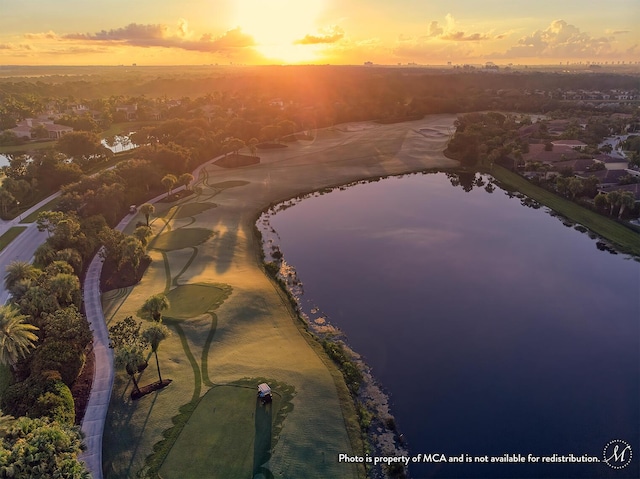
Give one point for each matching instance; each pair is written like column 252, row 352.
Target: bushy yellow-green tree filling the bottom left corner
column 39, row 447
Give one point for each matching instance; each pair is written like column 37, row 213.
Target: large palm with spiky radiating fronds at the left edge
column 16, row 335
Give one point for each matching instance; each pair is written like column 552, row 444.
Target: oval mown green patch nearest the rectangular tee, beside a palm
column 190, row 300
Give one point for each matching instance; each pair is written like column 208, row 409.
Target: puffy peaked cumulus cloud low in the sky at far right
column 560, row 40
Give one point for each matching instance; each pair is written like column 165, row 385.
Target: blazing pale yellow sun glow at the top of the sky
column 277, row 24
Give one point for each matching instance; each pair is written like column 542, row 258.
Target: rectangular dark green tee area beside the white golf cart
column 230, row 434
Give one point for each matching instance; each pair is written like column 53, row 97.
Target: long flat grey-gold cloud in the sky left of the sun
column 157, row 35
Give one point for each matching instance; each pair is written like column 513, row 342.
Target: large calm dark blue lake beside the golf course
column 495, row 328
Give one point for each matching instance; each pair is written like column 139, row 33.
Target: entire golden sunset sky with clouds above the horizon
column 254, row 32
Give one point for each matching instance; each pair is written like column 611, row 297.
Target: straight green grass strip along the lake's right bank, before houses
column 625, row 238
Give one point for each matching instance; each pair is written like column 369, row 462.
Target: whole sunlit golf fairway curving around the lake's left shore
column 232, row 327
